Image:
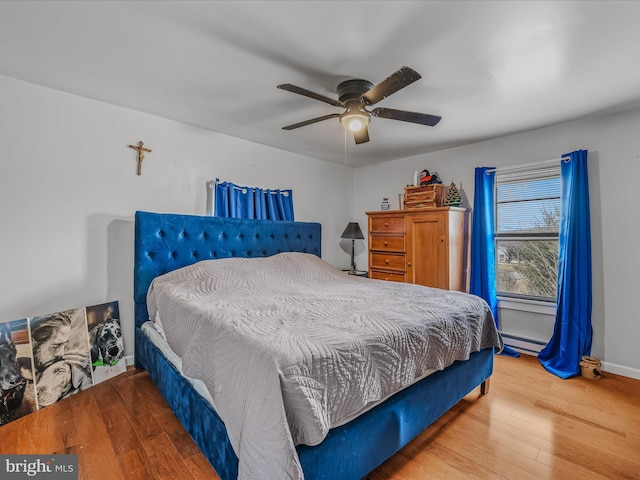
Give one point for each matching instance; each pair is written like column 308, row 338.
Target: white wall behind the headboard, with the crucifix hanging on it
column 69, row 189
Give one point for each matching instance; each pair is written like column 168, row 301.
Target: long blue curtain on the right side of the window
column 572, row 333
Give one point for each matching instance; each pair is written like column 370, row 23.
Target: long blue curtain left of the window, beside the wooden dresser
column 483, row 257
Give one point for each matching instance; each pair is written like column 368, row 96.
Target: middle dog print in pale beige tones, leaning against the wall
column 60, row 351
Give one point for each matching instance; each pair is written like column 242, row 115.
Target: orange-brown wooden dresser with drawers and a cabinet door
column 428, row 247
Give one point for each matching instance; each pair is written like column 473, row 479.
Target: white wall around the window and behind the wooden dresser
column 614, row 170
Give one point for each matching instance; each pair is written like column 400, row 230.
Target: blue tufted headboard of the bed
column 165, row 242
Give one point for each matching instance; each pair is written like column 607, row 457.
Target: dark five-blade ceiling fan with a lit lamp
column 357, row 94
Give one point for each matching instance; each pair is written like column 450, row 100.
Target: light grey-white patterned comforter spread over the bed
column 290, row 347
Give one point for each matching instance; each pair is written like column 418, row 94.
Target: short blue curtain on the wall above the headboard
column 250, row 202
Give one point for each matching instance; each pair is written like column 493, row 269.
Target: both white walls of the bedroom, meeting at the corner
column 68, row 191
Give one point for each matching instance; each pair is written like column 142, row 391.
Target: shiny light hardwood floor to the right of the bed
column 531, row 425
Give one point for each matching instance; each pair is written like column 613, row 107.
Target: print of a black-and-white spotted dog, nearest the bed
column 105, row 341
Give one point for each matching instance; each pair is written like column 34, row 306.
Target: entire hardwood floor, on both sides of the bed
column 531, row 425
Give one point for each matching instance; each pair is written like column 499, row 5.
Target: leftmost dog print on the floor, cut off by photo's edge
column 16, row 372
